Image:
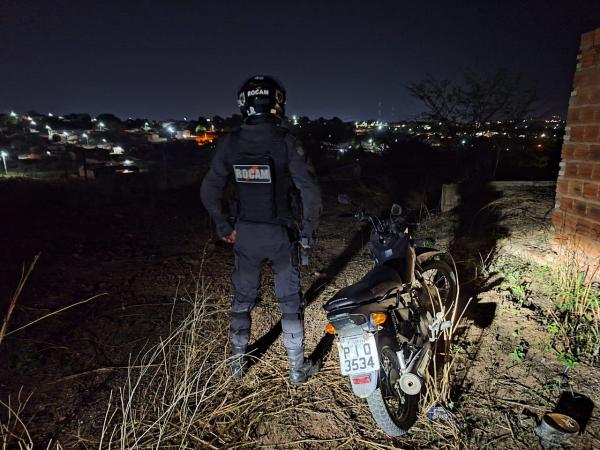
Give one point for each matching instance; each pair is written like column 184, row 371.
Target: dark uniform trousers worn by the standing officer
column 257, row 244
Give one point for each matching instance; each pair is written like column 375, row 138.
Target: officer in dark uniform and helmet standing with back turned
column 266, row 165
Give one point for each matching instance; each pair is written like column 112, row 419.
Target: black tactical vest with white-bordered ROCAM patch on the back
column 261, row 176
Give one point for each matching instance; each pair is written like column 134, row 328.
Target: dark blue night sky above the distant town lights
column 162, row 59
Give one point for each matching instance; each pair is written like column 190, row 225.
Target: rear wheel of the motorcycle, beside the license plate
column 393, row 410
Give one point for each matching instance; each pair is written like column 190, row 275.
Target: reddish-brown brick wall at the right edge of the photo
column 576, row 217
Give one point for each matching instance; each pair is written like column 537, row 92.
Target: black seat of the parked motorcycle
column 372, row 287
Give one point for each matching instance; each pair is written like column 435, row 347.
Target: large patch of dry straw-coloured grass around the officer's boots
column 180, row 396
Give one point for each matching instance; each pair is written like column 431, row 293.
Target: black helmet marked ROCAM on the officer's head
column 261, row 95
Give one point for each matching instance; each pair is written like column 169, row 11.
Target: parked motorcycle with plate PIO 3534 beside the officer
column 387, row 323
